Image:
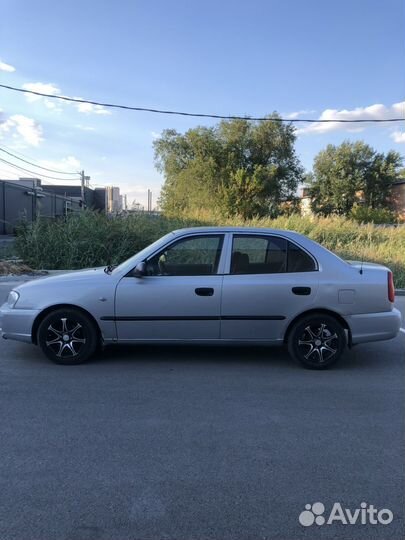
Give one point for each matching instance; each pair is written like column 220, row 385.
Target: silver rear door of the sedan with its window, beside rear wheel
column 270, row 280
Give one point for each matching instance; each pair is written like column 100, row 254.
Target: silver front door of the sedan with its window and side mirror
column 179, row 297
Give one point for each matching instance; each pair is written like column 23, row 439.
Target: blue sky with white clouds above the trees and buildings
column 302, row 58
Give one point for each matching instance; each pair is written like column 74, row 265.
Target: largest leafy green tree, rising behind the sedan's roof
column 237, row 167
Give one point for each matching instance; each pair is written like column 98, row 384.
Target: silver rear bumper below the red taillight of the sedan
column 374, row 326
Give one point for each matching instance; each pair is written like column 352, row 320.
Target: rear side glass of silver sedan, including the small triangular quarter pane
column 268, row 255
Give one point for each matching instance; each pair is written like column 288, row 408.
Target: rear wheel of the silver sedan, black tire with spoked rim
column 317, row 341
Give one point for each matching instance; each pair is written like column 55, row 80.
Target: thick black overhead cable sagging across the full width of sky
column 202, row 115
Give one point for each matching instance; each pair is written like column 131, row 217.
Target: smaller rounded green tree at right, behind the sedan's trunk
column 349, row 174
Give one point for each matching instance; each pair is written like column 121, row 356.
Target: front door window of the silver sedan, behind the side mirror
column 195, row 256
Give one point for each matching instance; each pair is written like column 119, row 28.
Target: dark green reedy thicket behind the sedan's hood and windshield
column 89, row 239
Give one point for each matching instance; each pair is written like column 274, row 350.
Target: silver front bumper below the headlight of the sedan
column 17, row 323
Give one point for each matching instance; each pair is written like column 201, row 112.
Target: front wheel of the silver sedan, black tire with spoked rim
column 67, row 336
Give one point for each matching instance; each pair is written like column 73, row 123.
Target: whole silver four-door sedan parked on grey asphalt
column 211, row 285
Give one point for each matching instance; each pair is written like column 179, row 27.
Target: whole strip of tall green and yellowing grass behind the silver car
column 93, row 239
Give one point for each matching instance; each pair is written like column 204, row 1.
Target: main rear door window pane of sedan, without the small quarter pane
column 258, row 255
